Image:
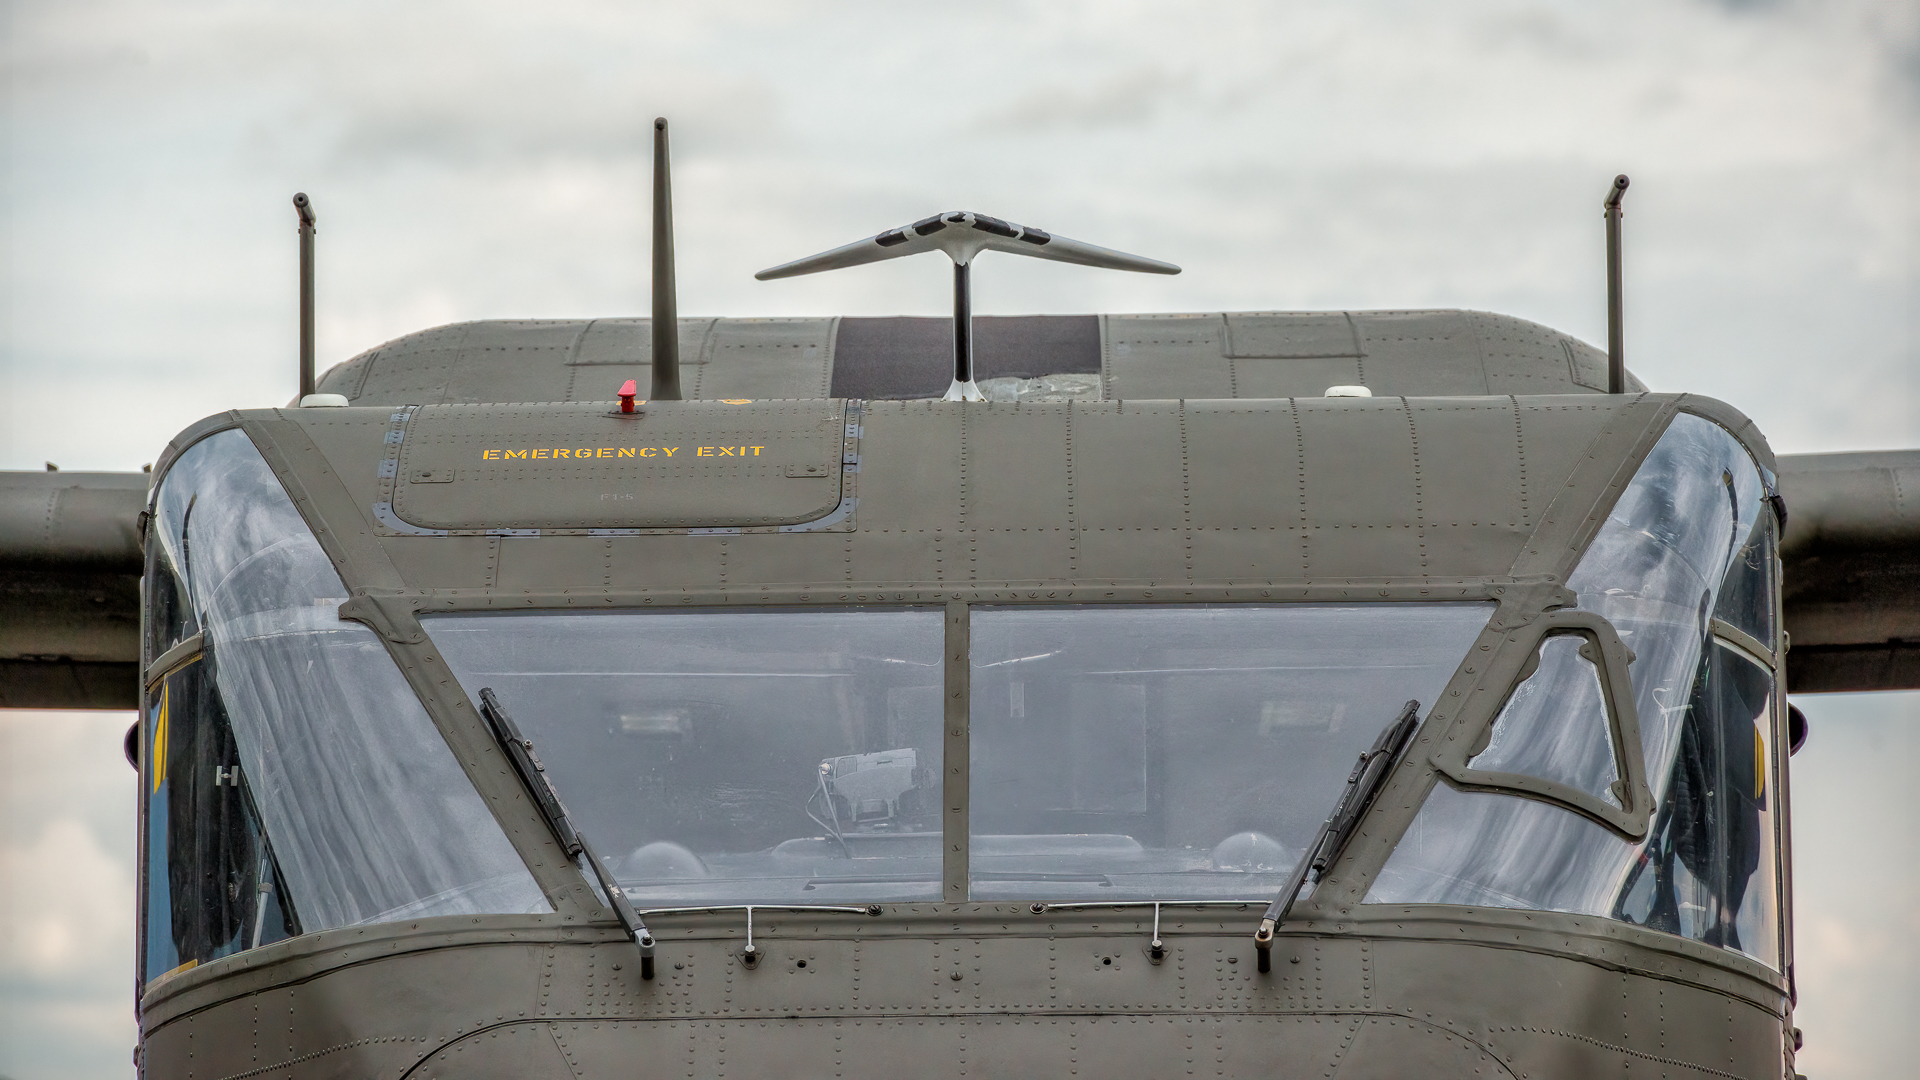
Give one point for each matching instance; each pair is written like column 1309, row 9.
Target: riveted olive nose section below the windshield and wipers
column 1068, row 989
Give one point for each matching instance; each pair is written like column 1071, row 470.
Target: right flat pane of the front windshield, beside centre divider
column 1159, row 752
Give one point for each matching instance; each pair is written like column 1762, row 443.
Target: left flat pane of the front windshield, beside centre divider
column 744, row 756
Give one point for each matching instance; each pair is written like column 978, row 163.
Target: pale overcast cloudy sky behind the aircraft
column 489, row 160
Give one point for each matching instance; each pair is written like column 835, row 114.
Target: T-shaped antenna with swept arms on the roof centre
column 963, row 235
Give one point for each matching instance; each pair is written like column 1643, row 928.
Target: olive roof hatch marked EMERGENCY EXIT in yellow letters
column 569, row 468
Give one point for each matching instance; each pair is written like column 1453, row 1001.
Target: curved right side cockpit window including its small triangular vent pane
column 1683, row 577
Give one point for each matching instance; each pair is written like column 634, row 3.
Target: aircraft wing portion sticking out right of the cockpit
column 1852, row 554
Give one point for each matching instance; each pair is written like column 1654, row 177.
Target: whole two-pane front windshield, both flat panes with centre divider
column 798, row 756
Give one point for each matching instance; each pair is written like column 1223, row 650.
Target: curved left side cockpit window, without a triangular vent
column 289, row 760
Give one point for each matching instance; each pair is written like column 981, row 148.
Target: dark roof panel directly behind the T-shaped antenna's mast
column 888, row 360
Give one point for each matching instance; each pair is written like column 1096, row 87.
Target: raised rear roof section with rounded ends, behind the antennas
column 1253, row 355
